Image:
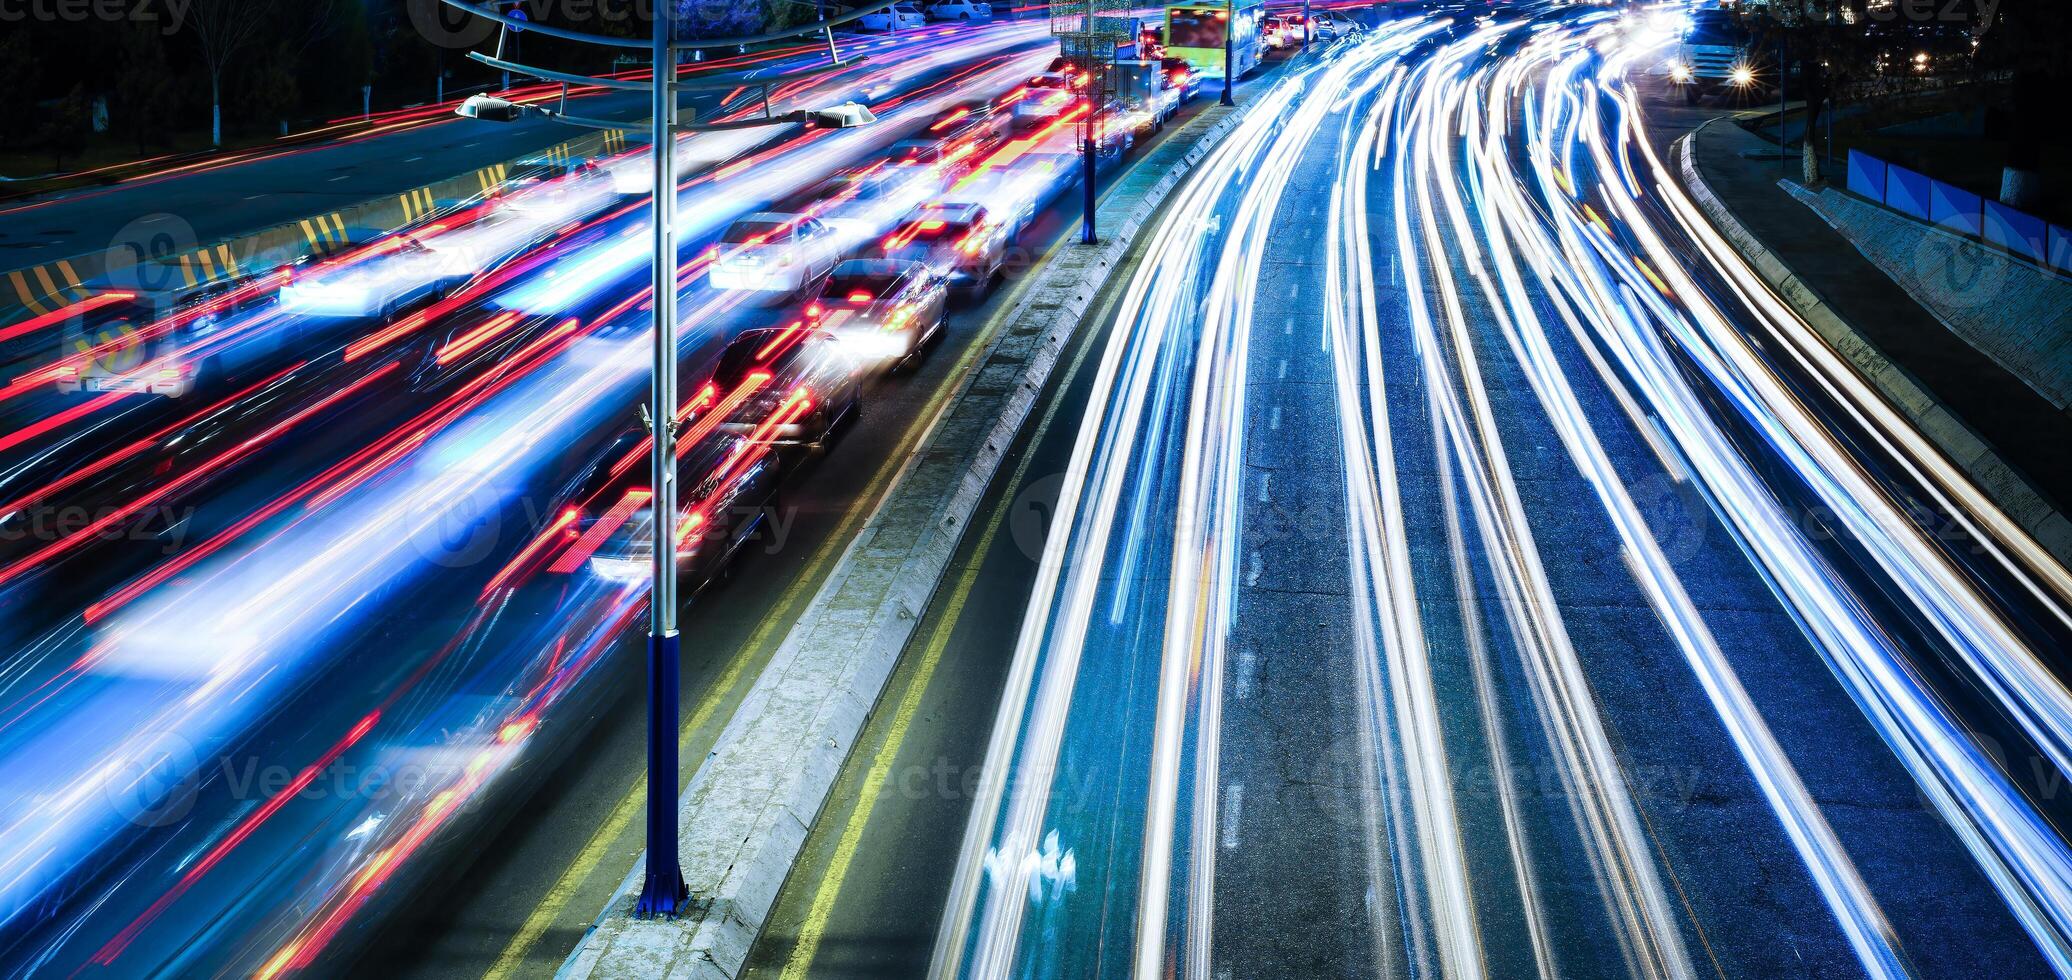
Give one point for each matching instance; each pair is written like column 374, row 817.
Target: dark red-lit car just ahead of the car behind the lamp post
column 793, row 386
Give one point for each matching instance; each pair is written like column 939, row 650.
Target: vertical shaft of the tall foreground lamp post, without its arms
column 664, row 892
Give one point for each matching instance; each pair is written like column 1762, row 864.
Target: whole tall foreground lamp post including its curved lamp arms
column 664, row 892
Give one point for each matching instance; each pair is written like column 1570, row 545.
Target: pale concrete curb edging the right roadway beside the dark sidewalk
column 1955, row 438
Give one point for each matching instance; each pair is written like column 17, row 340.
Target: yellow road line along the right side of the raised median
column 824, row 902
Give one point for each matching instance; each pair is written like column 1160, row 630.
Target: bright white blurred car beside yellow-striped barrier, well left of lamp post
column 382, row 281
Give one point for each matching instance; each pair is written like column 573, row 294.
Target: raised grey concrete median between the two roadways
column 751, row 805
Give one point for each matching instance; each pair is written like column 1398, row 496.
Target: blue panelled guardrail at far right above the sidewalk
column 1963, row 212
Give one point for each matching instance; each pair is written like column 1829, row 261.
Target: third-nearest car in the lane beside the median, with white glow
column 884, row 310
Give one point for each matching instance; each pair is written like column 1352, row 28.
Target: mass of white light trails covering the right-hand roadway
column 1534, row 231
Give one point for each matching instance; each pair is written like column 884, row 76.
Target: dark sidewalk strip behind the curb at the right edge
column 2011, row 420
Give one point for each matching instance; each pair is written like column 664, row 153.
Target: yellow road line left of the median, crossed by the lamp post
column 623, row 815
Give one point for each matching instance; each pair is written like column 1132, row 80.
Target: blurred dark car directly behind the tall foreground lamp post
column 728, row 494
